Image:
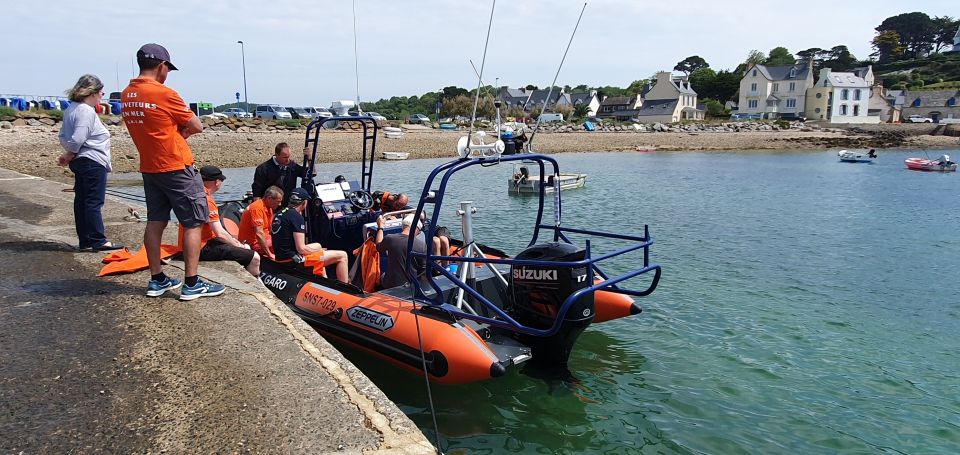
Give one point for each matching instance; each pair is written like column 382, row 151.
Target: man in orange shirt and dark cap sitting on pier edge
column 216, row 243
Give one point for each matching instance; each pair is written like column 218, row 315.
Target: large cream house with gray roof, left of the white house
column 775, row 91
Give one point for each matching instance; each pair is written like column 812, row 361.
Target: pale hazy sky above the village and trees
column 301, row 53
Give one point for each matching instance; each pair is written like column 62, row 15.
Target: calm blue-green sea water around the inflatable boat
column 806, row 306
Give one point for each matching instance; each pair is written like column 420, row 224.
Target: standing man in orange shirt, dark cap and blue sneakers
column 159, row 122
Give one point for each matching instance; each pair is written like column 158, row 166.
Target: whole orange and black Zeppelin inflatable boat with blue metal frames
column 475, row 313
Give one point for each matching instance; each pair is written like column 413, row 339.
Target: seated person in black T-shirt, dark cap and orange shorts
column 290, row 241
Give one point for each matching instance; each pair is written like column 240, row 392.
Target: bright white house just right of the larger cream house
column 840, row 97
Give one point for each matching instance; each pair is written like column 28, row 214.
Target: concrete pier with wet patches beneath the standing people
column 91, row 365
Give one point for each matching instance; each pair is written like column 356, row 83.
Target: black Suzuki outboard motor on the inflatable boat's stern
column 537, row 294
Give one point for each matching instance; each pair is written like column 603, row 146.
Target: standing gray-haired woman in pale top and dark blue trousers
column 86, row 144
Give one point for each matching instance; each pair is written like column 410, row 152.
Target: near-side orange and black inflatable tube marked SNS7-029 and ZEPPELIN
column 389, row 327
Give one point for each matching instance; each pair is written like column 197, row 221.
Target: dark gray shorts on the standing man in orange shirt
column 180, row 191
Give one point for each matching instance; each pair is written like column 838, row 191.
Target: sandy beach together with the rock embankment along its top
column 29, row 144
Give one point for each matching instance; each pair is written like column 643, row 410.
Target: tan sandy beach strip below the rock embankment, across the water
column 33, row 150
